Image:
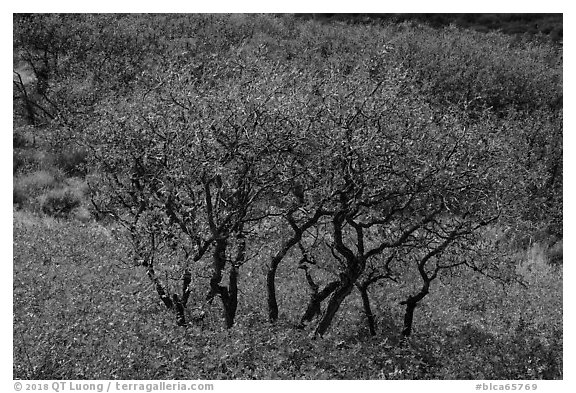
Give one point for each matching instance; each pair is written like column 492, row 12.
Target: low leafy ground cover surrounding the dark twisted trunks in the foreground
column 82, row 312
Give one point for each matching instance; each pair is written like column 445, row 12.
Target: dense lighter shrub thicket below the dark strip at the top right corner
column 482, row 71
